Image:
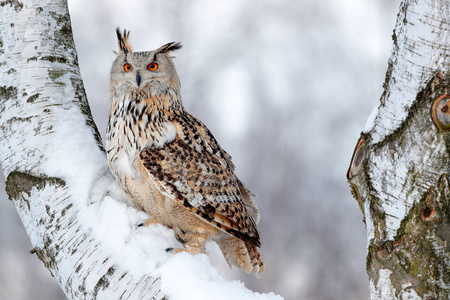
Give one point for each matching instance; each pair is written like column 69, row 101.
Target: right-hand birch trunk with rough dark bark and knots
column 399, row 172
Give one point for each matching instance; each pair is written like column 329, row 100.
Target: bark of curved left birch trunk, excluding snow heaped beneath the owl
column 42, row 103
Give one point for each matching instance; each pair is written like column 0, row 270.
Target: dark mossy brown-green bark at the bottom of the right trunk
column 418, row 254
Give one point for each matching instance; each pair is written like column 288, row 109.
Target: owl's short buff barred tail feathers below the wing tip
column 241, row 254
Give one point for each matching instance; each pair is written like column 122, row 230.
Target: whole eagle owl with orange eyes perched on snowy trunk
column 171, row 164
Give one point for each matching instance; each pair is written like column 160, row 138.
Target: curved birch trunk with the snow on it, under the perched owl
column 81, row 224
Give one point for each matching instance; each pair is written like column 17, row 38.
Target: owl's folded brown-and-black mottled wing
column 204, row 182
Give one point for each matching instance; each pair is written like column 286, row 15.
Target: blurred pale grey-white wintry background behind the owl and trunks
column 286, row 88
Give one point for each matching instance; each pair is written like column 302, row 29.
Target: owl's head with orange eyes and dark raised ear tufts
column 148, row 69
